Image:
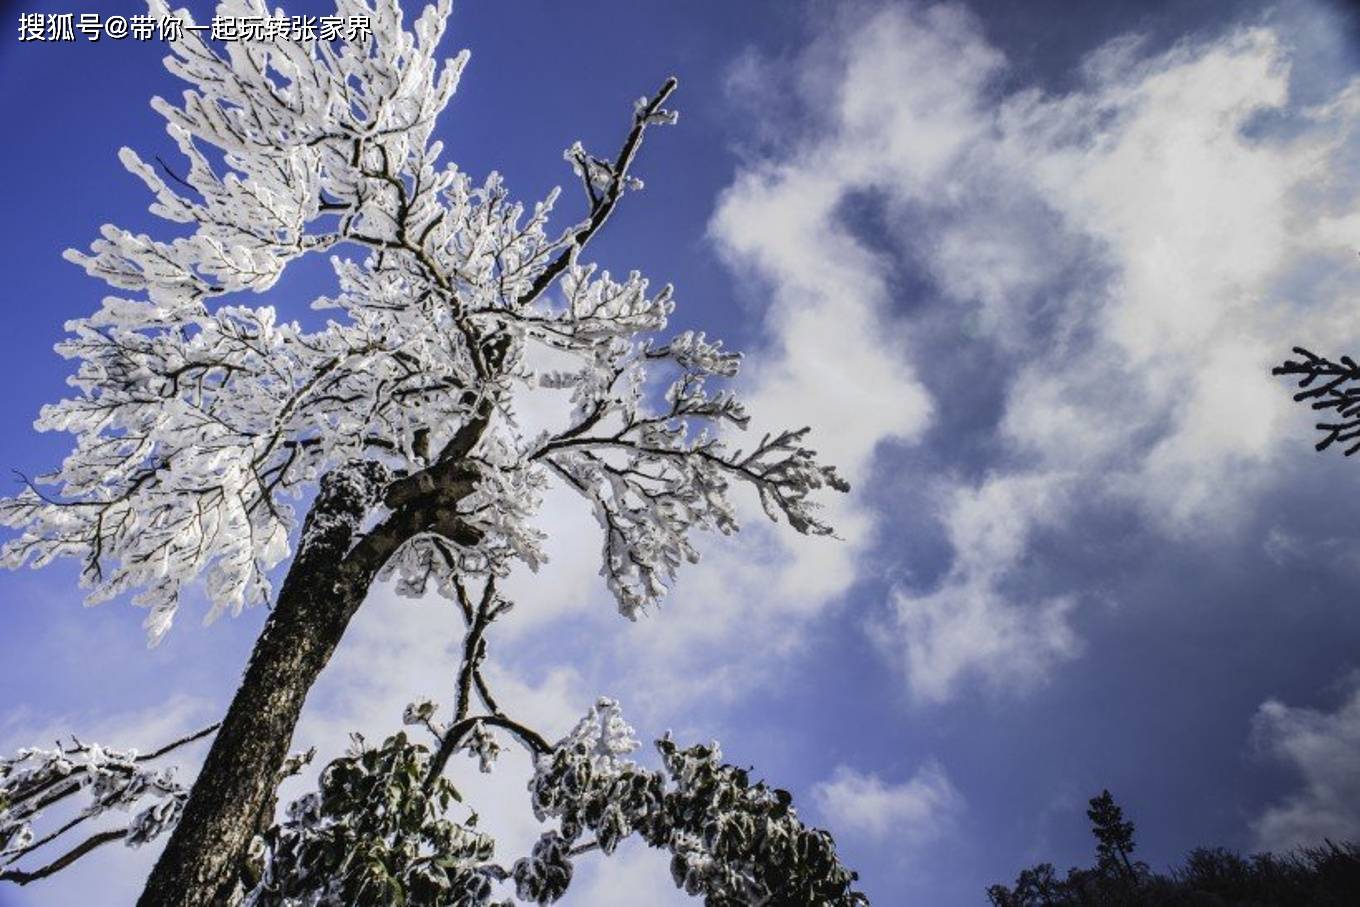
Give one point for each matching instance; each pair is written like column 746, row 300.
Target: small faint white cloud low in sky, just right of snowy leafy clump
column 911, row 814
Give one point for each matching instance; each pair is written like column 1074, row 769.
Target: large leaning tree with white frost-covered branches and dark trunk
column 198, row 420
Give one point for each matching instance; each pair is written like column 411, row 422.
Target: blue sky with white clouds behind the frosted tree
column 1023, row 267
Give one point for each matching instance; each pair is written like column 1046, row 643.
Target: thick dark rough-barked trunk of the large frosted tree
column 324, row 588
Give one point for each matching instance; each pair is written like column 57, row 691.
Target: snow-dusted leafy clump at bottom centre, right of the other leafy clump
column 731, row 841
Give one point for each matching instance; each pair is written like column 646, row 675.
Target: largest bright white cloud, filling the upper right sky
column 1124, row 259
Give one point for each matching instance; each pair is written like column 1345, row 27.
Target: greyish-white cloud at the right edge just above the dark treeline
column 1325, row 751
